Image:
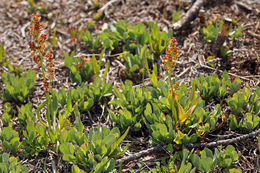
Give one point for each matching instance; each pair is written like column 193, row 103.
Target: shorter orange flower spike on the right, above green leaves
column 172, row 54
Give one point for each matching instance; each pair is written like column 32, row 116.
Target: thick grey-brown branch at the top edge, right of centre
column 190, row 15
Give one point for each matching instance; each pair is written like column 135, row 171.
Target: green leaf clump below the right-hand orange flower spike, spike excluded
column 173, row 117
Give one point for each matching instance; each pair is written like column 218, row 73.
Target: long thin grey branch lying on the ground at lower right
column 160, row 147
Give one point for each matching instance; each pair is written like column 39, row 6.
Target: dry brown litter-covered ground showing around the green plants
column 63, row 15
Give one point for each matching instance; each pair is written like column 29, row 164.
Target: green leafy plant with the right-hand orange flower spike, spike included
column 175, row 113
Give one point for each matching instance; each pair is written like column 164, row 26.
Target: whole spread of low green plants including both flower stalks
column 168, row 111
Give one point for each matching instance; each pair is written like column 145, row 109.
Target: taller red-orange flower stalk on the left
column 38, row 50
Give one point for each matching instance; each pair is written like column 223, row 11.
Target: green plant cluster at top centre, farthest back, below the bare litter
column 135, row 46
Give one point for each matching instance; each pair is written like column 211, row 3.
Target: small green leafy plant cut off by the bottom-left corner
column 11, row 164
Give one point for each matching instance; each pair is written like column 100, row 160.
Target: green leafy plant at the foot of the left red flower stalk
column 38, row 134
